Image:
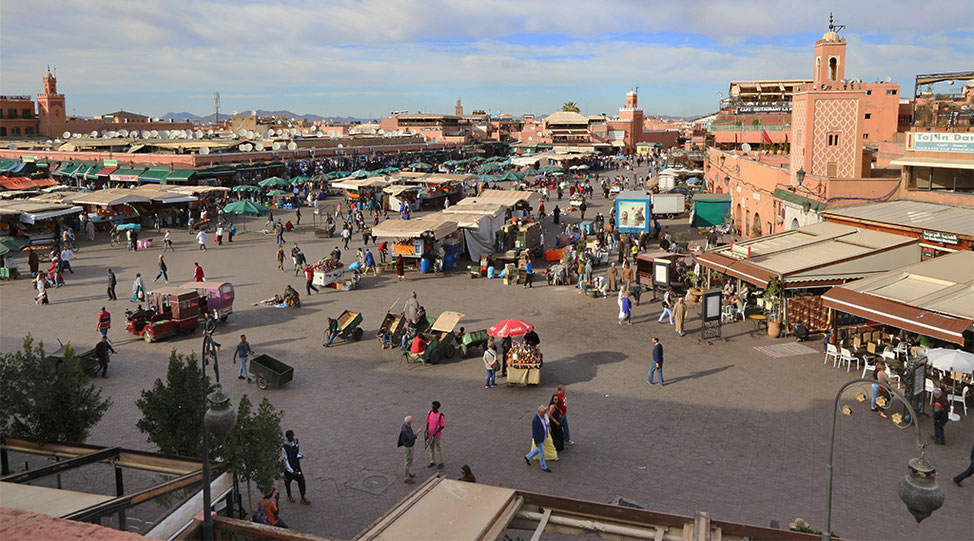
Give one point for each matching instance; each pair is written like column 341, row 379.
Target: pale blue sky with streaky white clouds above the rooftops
column 368, row 57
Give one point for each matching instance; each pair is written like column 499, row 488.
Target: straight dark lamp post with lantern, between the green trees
column 218, row 420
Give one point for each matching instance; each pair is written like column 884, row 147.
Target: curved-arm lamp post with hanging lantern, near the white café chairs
column 919, row 489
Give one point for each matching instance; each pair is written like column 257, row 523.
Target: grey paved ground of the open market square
column 734, row 432
